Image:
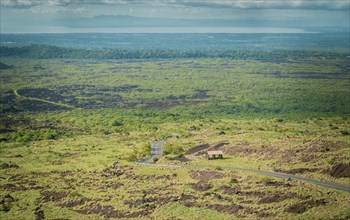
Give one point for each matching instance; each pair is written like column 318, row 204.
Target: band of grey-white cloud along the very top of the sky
column 240, row 4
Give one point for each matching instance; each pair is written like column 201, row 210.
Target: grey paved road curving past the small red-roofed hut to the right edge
column 156, row 151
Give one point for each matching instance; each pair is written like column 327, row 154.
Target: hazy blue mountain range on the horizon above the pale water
column 126, row 21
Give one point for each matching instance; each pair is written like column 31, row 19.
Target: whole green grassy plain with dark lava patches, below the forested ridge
column 71, row 131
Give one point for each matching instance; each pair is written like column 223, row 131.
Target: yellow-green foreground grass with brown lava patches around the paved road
column 75, row 177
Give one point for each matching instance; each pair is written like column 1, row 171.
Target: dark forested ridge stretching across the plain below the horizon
column 54, row 52
